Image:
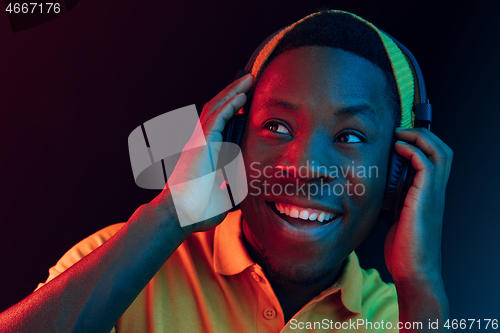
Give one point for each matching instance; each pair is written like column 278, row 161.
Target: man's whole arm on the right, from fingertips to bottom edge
column 413, row 243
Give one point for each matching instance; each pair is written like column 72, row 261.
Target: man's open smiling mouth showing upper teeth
column 302, row 218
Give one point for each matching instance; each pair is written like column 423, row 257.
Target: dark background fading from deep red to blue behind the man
column 72, row 89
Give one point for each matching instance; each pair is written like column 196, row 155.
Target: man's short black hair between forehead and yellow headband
column 343, row 31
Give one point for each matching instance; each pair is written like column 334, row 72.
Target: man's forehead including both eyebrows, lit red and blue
column 314, row 77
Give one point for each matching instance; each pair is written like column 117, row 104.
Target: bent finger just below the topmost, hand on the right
column 425, row 168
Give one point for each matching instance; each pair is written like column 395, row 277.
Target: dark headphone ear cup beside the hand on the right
column 400, row 175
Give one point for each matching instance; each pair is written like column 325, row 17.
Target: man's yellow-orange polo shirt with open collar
column 210, row 284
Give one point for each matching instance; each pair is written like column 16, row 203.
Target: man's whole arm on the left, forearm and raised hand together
column 91, row 295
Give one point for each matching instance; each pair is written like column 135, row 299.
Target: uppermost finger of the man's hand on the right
column 432, row 146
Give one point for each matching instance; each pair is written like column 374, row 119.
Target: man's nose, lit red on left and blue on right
column 309, row 159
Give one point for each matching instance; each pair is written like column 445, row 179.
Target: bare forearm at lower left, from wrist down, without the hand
column 92, row 294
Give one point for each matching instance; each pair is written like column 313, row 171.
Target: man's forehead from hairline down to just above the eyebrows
column 319, row 69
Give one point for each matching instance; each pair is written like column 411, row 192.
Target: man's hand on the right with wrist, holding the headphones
column 413, row 243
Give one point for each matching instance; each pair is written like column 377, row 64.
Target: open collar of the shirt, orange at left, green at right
column 231, row 257
